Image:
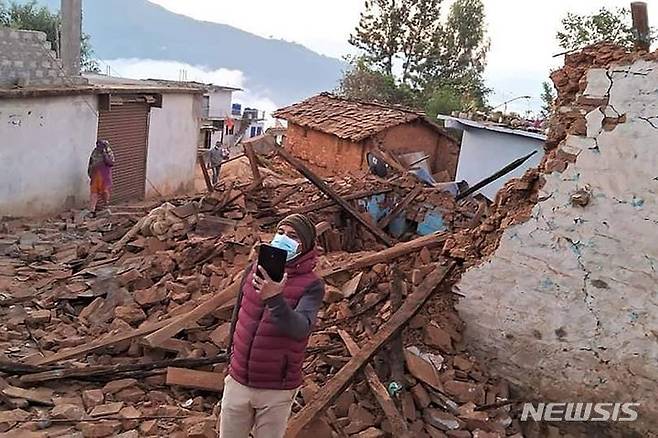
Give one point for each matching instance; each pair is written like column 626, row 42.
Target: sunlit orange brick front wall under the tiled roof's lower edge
column 326, row 154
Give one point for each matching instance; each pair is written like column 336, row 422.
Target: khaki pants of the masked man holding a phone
column 264, row 412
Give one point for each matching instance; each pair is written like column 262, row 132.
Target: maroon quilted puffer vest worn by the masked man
column 261, row 355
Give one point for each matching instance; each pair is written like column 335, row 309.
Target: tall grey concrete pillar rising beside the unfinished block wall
column 71, row 36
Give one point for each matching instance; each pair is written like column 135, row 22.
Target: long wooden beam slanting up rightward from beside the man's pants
column 341, row 380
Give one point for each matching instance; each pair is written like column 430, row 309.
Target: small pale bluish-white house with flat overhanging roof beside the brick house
column 488, row 148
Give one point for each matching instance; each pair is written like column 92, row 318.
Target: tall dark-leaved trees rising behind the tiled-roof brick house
column 410, row 55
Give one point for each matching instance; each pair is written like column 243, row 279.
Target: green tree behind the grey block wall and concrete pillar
column 31, row 17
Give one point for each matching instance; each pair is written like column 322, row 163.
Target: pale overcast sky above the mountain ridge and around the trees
column 522, row 32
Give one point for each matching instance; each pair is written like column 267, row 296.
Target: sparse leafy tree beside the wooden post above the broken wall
column 607, row 25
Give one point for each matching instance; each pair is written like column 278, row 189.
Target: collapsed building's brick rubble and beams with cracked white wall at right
column 118, row 326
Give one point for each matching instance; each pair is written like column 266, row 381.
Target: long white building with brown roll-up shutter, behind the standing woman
column 47, row 133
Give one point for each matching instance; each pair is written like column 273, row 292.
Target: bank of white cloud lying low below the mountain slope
column 174, row 70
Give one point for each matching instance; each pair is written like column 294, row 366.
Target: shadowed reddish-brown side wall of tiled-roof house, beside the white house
column 418, row 137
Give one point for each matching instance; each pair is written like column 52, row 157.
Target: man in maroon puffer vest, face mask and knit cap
column 269, row 333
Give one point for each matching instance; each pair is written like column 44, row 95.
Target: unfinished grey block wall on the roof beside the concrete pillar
column 27, row 59
